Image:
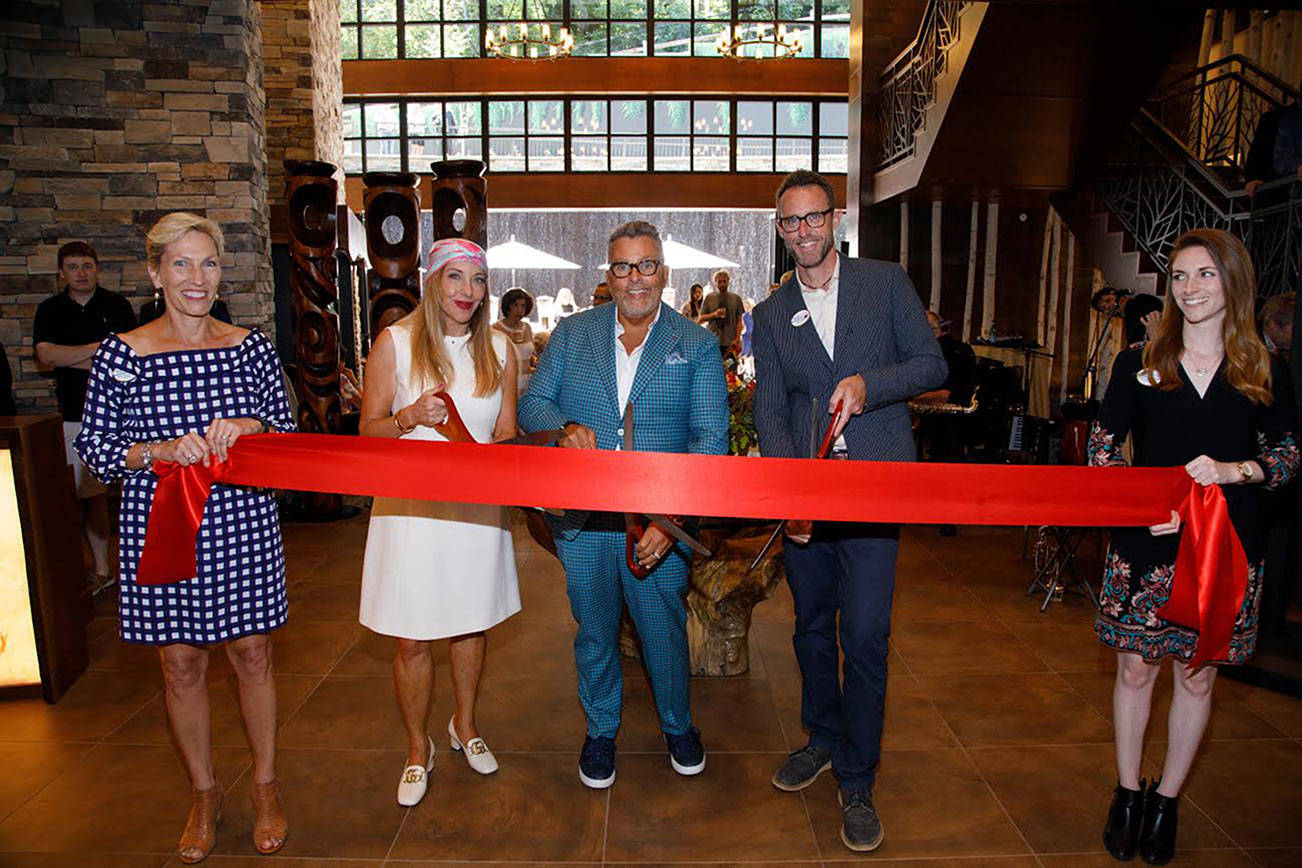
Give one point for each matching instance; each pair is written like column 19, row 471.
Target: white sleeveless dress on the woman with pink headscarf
column 432, row 569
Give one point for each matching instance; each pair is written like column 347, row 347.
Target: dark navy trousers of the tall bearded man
column 843, row 582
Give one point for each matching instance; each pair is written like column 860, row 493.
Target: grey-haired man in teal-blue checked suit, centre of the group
column 640, row 353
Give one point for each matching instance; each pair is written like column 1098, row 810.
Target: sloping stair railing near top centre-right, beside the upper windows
column 909, row 81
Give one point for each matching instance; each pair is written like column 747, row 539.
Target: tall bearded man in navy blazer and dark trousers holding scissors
column 852, row 334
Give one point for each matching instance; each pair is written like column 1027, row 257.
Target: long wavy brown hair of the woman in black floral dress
column 1248, row 365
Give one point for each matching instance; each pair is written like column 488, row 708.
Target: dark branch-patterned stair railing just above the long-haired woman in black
column 1158, row 188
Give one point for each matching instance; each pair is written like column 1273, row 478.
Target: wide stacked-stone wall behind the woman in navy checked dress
column 113, row 115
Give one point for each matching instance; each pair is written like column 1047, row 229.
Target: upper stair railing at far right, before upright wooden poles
column 1215, row 110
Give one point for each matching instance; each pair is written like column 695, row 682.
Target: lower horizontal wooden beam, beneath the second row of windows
column 622, row 191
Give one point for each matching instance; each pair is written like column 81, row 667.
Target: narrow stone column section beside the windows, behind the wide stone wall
column 304, row 79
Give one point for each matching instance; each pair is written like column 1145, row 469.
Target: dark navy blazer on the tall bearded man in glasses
column 882, row 335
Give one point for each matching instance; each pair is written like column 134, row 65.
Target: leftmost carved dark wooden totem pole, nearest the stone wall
column 312, row 192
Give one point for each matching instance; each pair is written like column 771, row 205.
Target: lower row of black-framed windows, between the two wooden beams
column 598, row 135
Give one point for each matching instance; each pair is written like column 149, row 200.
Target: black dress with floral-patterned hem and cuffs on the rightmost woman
column 1170, row 430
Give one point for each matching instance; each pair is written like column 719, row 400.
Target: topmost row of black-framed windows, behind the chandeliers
column 393, row 29
